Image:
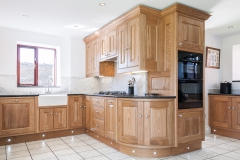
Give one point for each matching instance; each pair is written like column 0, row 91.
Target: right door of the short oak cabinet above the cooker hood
column 112, row 43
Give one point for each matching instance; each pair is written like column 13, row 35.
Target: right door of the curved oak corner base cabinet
column 159, row 123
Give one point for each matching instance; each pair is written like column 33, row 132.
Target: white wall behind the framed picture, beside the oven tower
column 212, row 76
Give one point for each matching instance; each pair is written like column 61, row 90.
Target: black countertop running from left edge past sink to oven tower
column 88, row 94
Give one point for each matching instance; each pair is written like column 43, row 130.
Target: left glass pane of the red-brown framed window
column 26, row 66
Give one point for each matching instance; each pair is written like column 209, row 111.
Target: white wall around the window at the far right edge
column 226, row 66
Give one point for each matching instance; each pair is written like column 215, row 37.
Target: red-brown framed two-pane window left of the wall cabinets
column 36, row 66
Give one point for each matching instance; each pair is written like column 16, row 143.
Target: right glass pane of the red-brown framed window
column 46, row 67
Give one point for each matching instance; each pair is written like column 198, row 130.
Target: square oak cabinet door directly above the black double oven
column 191, row 34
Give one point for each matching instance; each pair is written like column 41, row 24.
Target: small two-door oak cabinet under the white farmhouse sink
column 52, row 118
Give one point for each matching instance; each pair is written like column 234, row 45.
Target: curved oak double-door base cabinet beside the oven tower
column 146, row 122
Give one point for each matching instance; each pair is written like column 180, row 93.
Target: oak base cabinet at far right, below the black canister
column 224, row 115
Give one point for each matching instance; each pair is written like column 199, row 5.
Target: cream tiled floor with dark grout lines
column 82, row 146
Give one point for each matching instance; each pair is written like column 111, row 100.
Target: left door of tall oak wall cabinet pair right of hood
column 122, row 46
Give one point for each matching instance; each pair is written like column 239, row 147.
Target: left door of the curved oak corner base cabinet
column 130, row 122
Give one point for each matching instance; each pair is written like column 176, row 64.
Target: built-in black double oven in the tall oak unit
column 190, row 80
